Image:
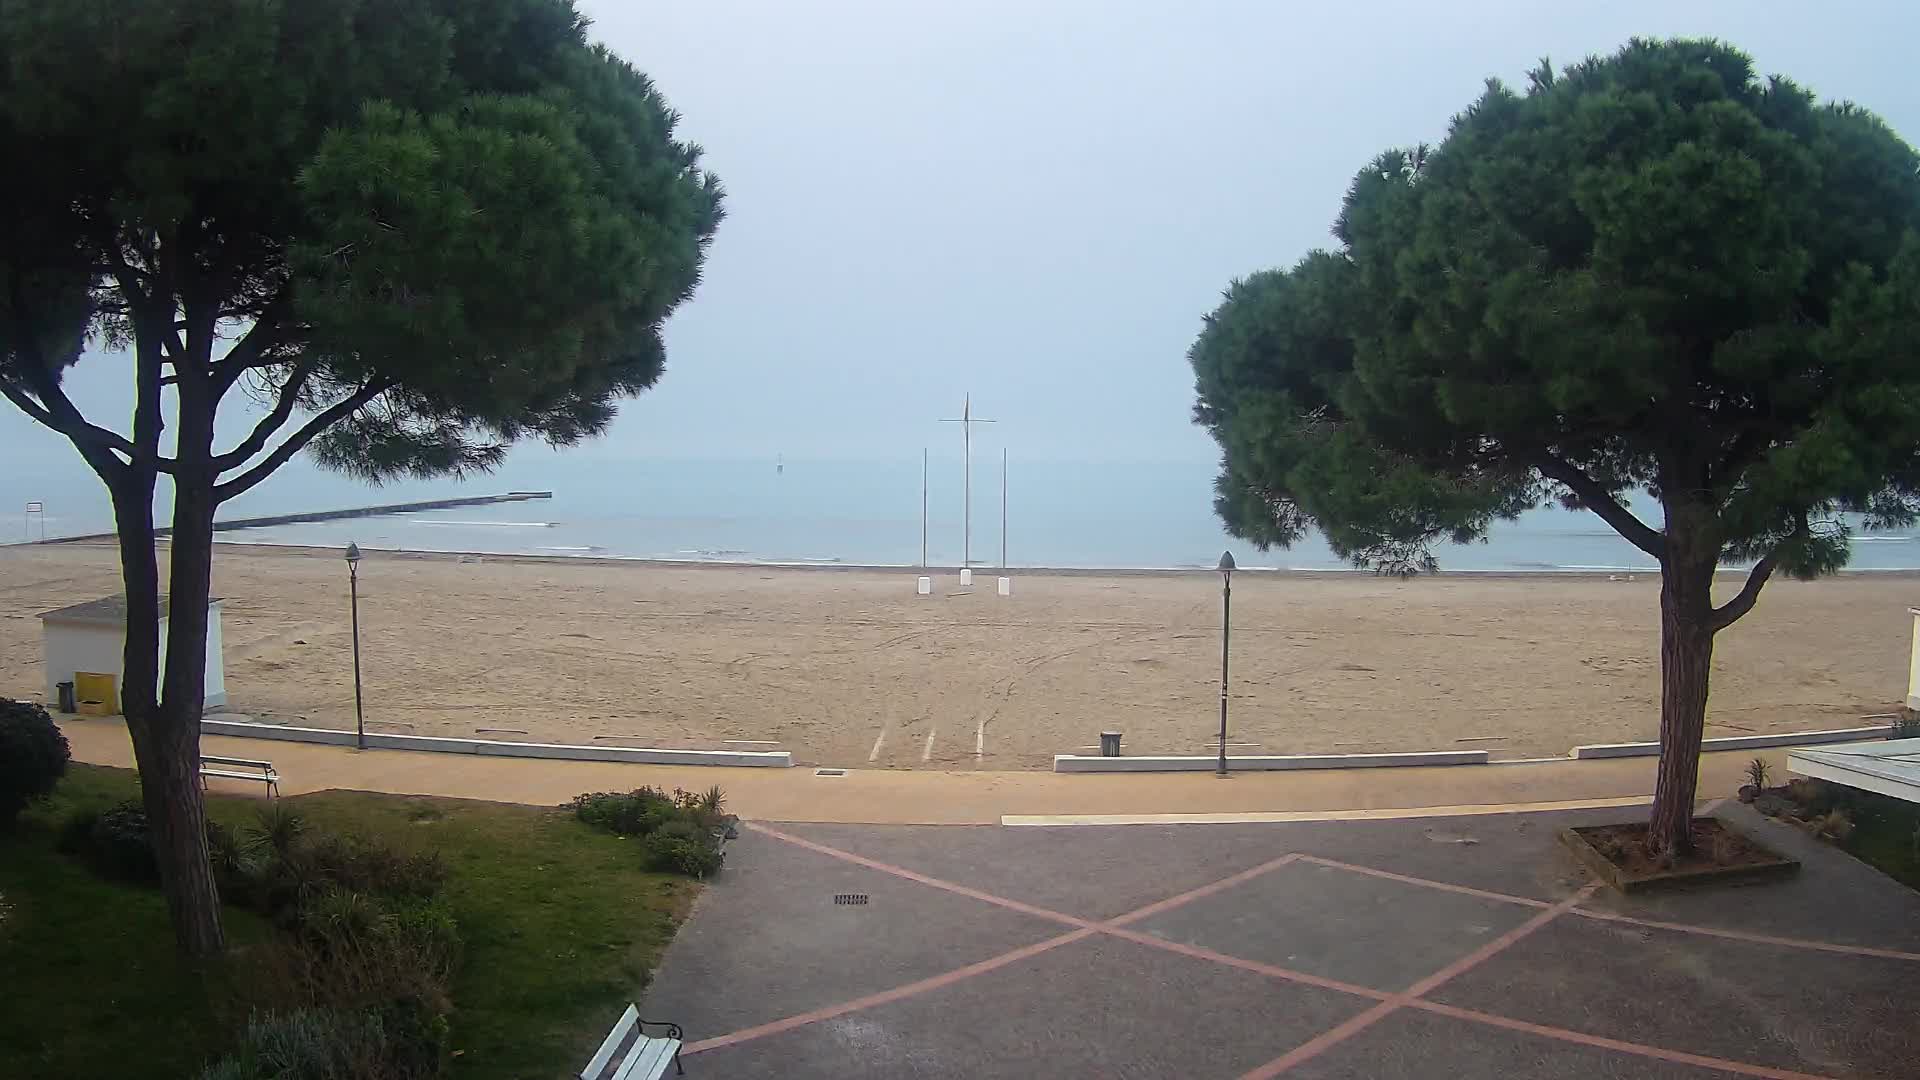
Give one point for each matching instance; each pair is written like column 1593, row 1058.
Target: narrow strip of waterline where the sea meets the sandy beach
column 521, row 558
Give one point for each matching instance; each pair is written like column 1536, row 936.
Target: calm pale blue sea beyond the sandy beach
column 834, row 512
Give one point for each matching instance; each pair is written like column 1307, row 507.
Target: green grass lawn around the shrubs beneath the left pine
column 560, row 921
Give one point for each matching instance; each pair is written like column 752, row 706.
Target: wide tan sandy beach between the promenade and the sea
column 850, row 668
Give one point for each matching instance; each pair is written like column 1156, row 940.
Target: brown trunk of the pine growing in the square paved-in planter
column 1687, row 662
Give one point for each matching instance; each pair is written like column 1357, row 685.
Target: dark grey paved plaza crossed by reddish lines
column 1460, row 948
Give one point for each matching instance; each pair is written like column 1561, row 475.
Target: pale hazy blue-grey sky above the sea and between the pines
column 1038, row 203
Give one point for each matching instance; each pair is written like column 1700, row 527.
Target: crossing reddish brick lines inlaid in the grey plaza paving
column 1385, row 1002
